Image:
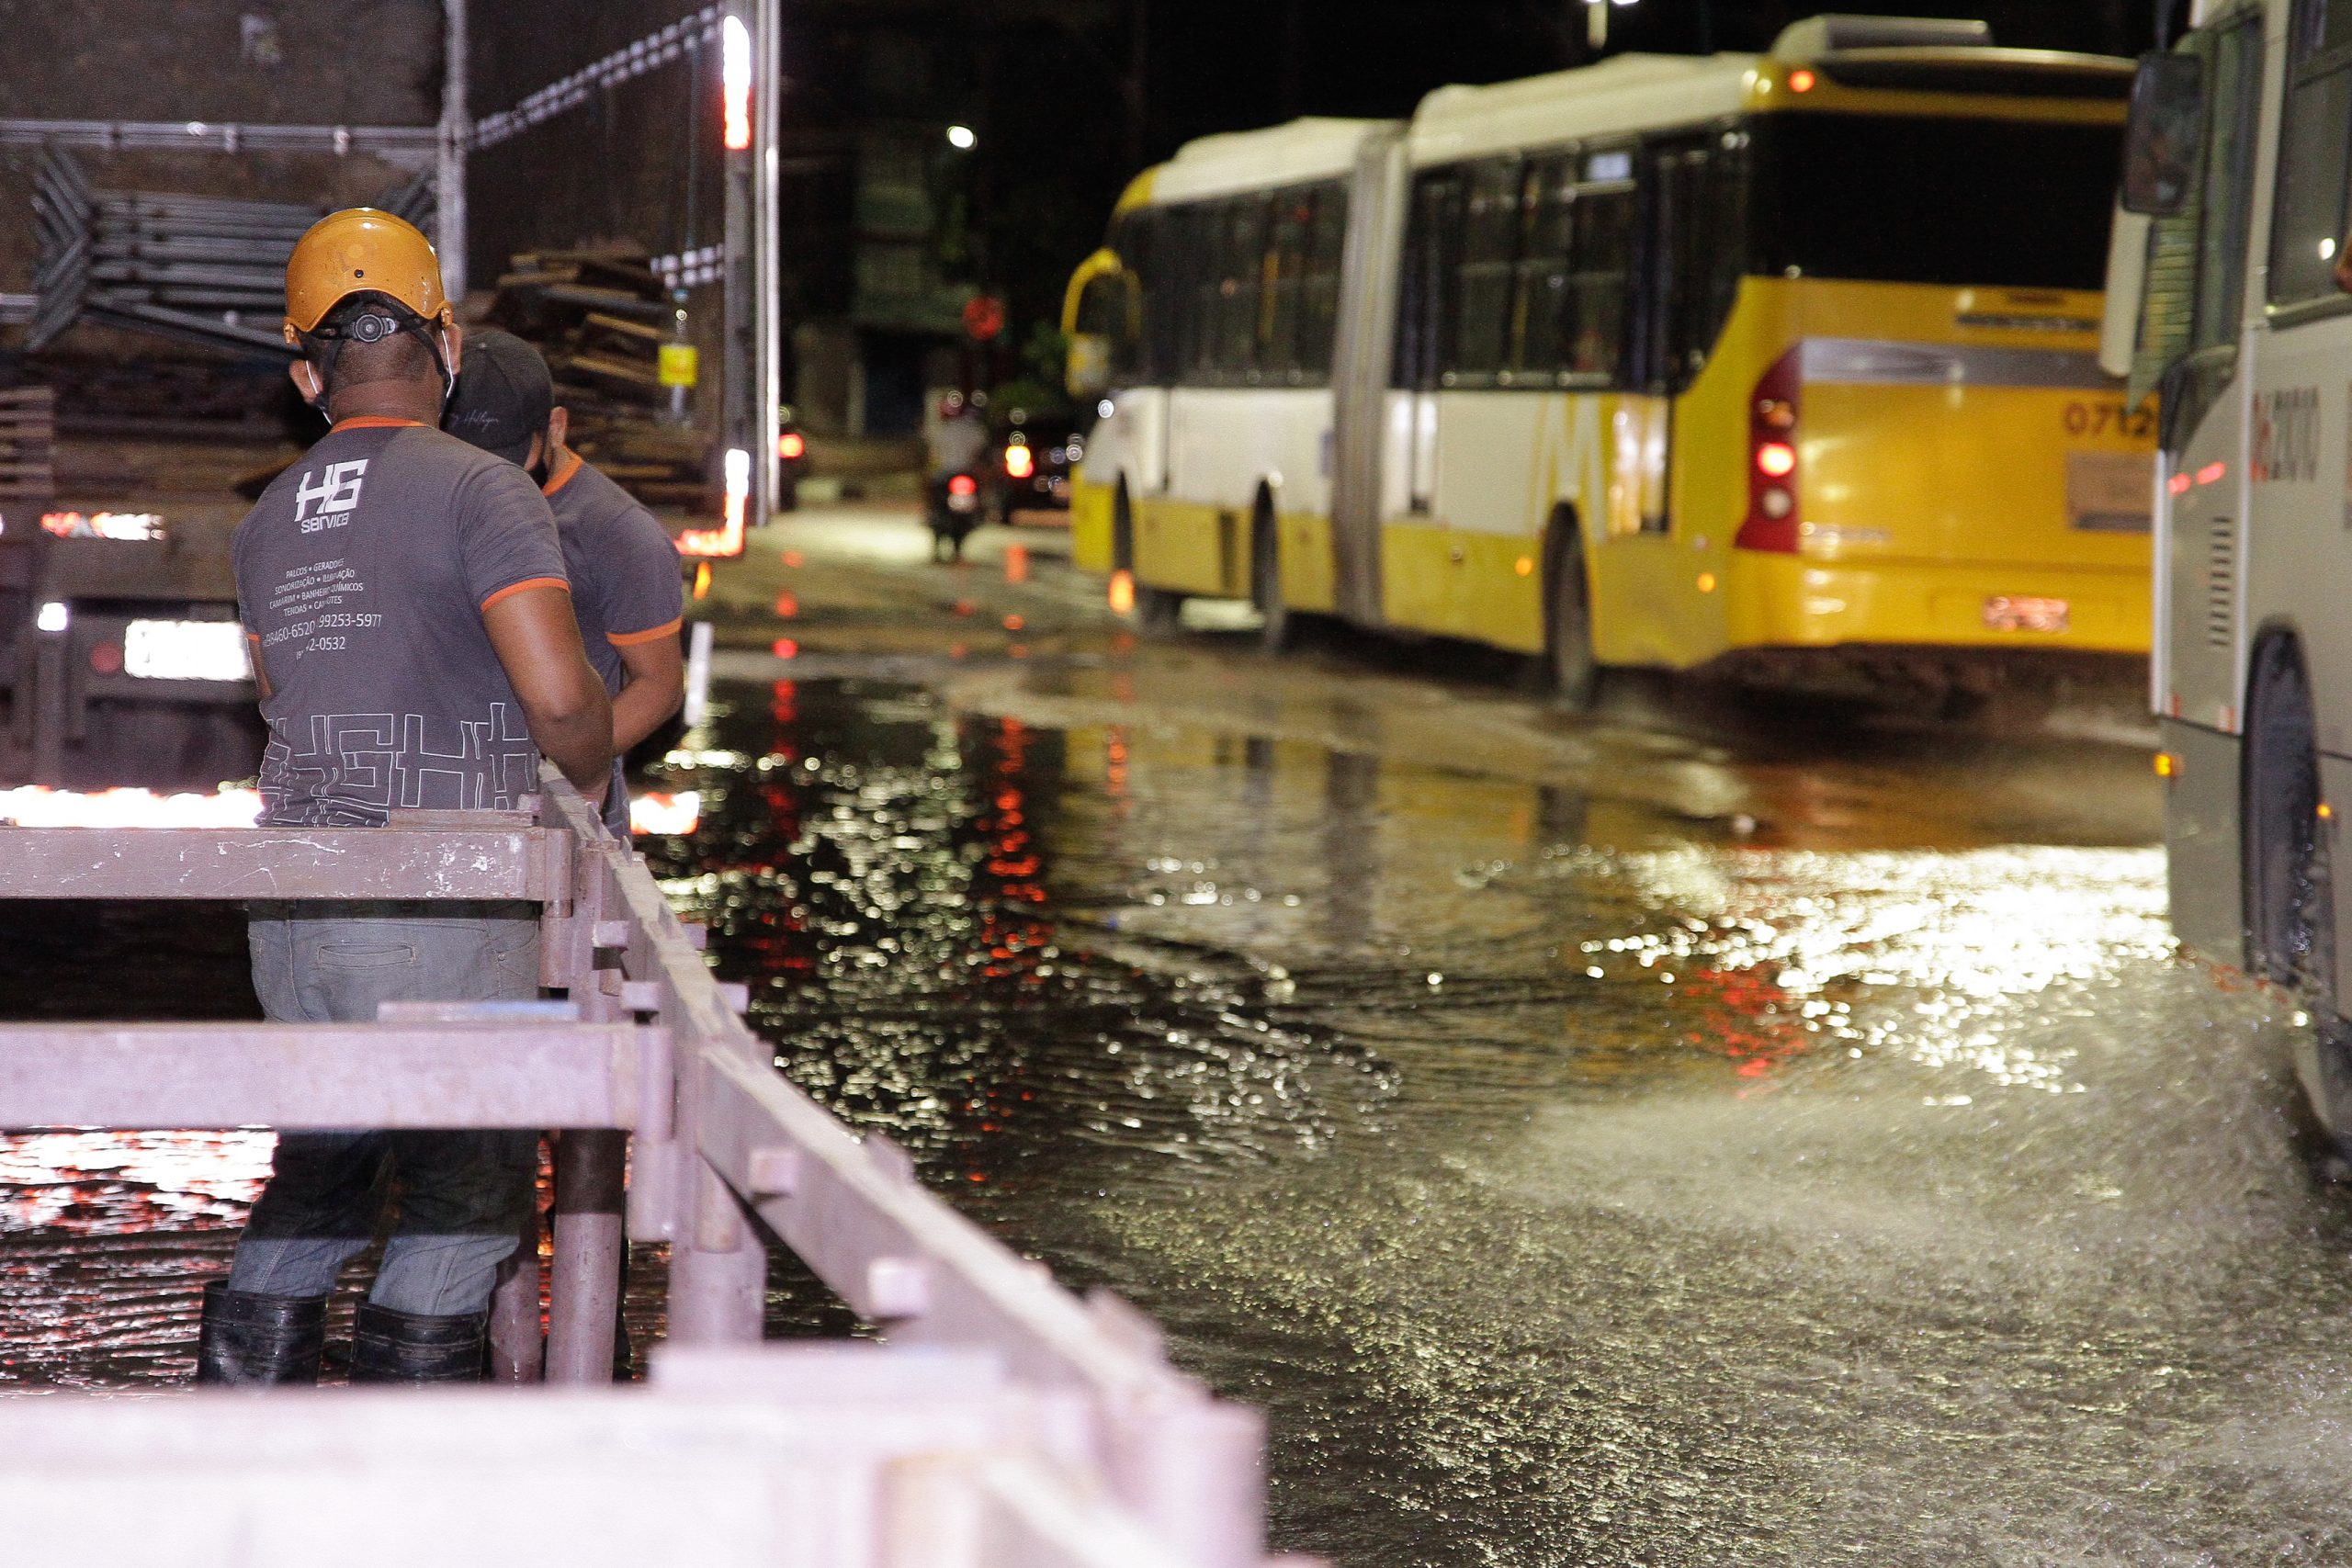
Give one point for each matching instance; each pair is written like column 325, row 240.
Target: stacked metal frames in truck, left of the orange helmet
column 185, row 267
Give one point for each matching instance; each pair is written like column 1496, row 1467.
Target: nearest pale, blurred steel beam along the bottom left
column 820, row 1456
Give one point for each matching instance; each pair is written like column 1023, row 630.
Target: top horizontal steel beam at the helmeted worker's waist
column 298, row 864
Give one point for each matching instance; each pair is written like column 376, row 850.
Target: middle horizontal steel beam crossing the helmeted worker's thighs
column 314, row 1076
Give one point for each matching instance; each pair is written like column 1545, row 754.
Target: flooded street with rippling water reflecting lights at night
column 1713, row 1132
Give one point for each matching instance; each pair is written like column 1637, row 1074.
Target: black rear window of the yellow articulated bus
column 1944, row 201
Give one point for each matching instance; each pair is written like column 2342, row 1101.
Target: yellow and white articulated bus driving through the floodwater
column 1782, row 366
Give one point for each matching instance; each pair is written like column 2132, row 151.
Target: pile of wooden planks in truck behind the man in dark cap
column 601, row 321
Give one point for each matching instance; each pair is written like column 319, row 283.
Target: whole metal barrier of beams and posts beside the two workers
column 1001, row 1423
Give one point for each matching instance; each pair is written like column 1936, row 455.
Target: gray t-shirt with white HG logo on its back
column 363, row 575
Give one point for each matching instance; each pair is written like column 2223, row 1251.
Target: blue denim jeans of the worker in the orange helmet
column 465, row 1195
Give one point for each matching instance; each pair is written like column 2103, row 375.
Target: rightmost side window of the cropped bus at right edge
column 2313, row 145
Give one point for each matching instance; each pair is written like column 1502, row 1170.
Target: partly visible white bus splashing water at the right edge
column 2240, row 154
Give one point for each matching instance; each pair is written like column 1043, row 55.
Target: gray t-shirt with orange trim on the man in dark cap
column 624, row 584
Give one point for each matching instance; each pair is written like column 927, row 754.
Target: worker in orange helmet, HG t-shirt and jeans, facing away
column 413, row 636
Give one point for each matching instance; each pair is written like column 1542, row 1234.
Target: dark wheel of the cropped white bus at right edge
column 2290, row 885
